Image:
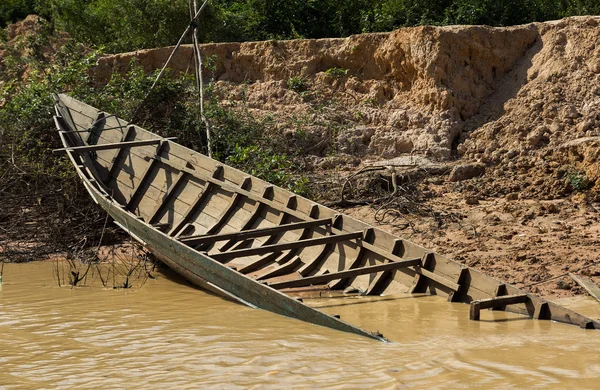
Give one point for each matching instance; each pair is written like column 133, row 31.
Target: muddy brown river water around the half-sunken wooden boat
column 167, row 334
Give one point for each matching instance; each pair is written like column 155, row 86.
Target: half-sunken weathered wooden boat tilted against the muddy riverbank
column 249, row 241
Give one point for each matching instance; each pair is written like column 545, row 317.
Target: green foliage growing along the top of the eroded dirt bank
column 122, row 25
